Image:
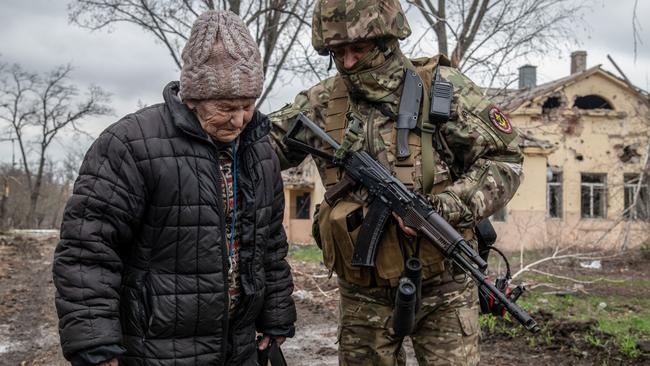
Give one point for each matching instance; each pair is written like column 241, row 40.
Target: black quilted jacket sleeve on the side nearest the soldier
column 279, row 312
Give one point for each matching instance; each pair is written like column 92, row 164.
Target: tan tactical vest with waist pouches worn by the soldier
column 338, row 238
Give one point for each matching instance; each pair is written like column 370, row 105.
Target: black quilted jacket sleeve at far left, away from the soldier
column 98, row 223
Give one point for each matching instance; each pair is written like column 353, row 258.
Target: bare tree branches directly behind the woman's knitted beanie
column 275, row 25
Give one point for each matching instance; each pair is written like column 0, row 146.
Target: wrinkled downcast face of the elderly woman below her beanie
column 223, row 119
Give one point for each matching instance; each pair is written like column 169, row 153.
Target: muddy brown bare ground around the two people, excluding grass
column 28, row 322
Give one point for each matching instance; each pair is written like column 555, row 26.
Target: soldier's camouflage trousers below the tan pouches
column 446, row 331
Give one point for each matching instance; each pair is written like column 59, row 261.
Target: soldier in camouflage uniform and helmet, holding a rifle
column 468, row 167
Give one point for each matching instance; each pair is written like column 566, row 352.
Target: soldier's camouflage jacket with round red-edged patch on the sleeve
column 485, row 164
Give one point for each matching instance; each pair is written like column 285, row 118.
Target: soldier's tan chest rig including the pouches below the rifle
column 420, row 169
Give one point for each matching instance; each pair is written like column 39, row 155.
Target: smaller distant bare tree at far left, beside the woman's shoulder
column 40, row 108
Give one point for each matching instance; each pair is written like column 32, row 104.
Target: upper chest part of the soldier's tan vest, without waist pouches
column 422, row 168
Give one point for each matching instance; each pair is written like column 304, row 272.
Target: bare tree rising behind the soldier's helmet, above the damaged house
column 485, row 37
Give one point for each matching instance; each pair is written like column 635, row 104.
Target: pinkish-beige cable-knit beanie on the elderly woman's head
column 220, row 59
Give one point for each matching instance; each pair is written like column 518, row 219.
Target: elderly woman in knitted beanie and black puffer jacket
column 172, row 245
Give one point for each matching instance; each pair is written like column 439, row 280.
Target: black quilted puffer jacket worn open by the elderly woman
column 142, row 260
